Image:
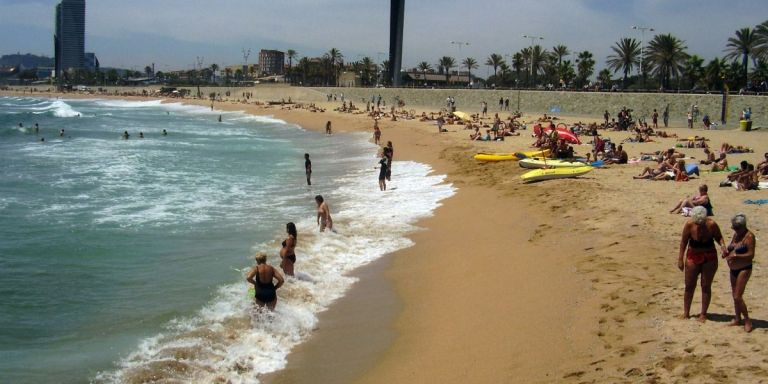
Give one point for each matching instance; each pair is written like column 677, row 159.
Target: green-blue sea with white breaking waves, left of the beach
column 124, row 260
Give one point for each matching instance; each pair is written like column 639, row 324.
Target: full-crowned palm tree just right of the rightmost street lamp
column 666, row 56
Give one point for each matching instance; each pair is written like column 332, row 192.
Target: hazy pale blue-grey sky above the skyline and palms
column 173, row 33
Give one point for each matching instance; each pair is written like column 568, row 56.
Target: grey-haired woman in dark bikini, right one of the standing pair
column 739, row 256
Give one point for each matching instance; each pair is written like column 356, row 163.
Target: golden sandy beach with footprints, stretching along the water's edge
column 570, row 280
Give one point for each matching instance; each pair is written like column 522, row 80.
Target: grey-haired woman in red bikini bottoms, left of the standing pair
column 699, row 236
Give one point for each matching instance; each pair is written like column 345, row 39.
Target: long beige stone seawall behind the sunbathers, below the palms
column 571, row 103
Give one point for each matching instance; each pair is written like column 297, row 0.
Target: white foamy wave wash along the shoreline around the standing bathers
column 239, row 345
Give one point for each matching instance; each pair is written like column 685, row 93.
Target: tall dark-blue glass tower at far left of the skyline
column 69, row 38
